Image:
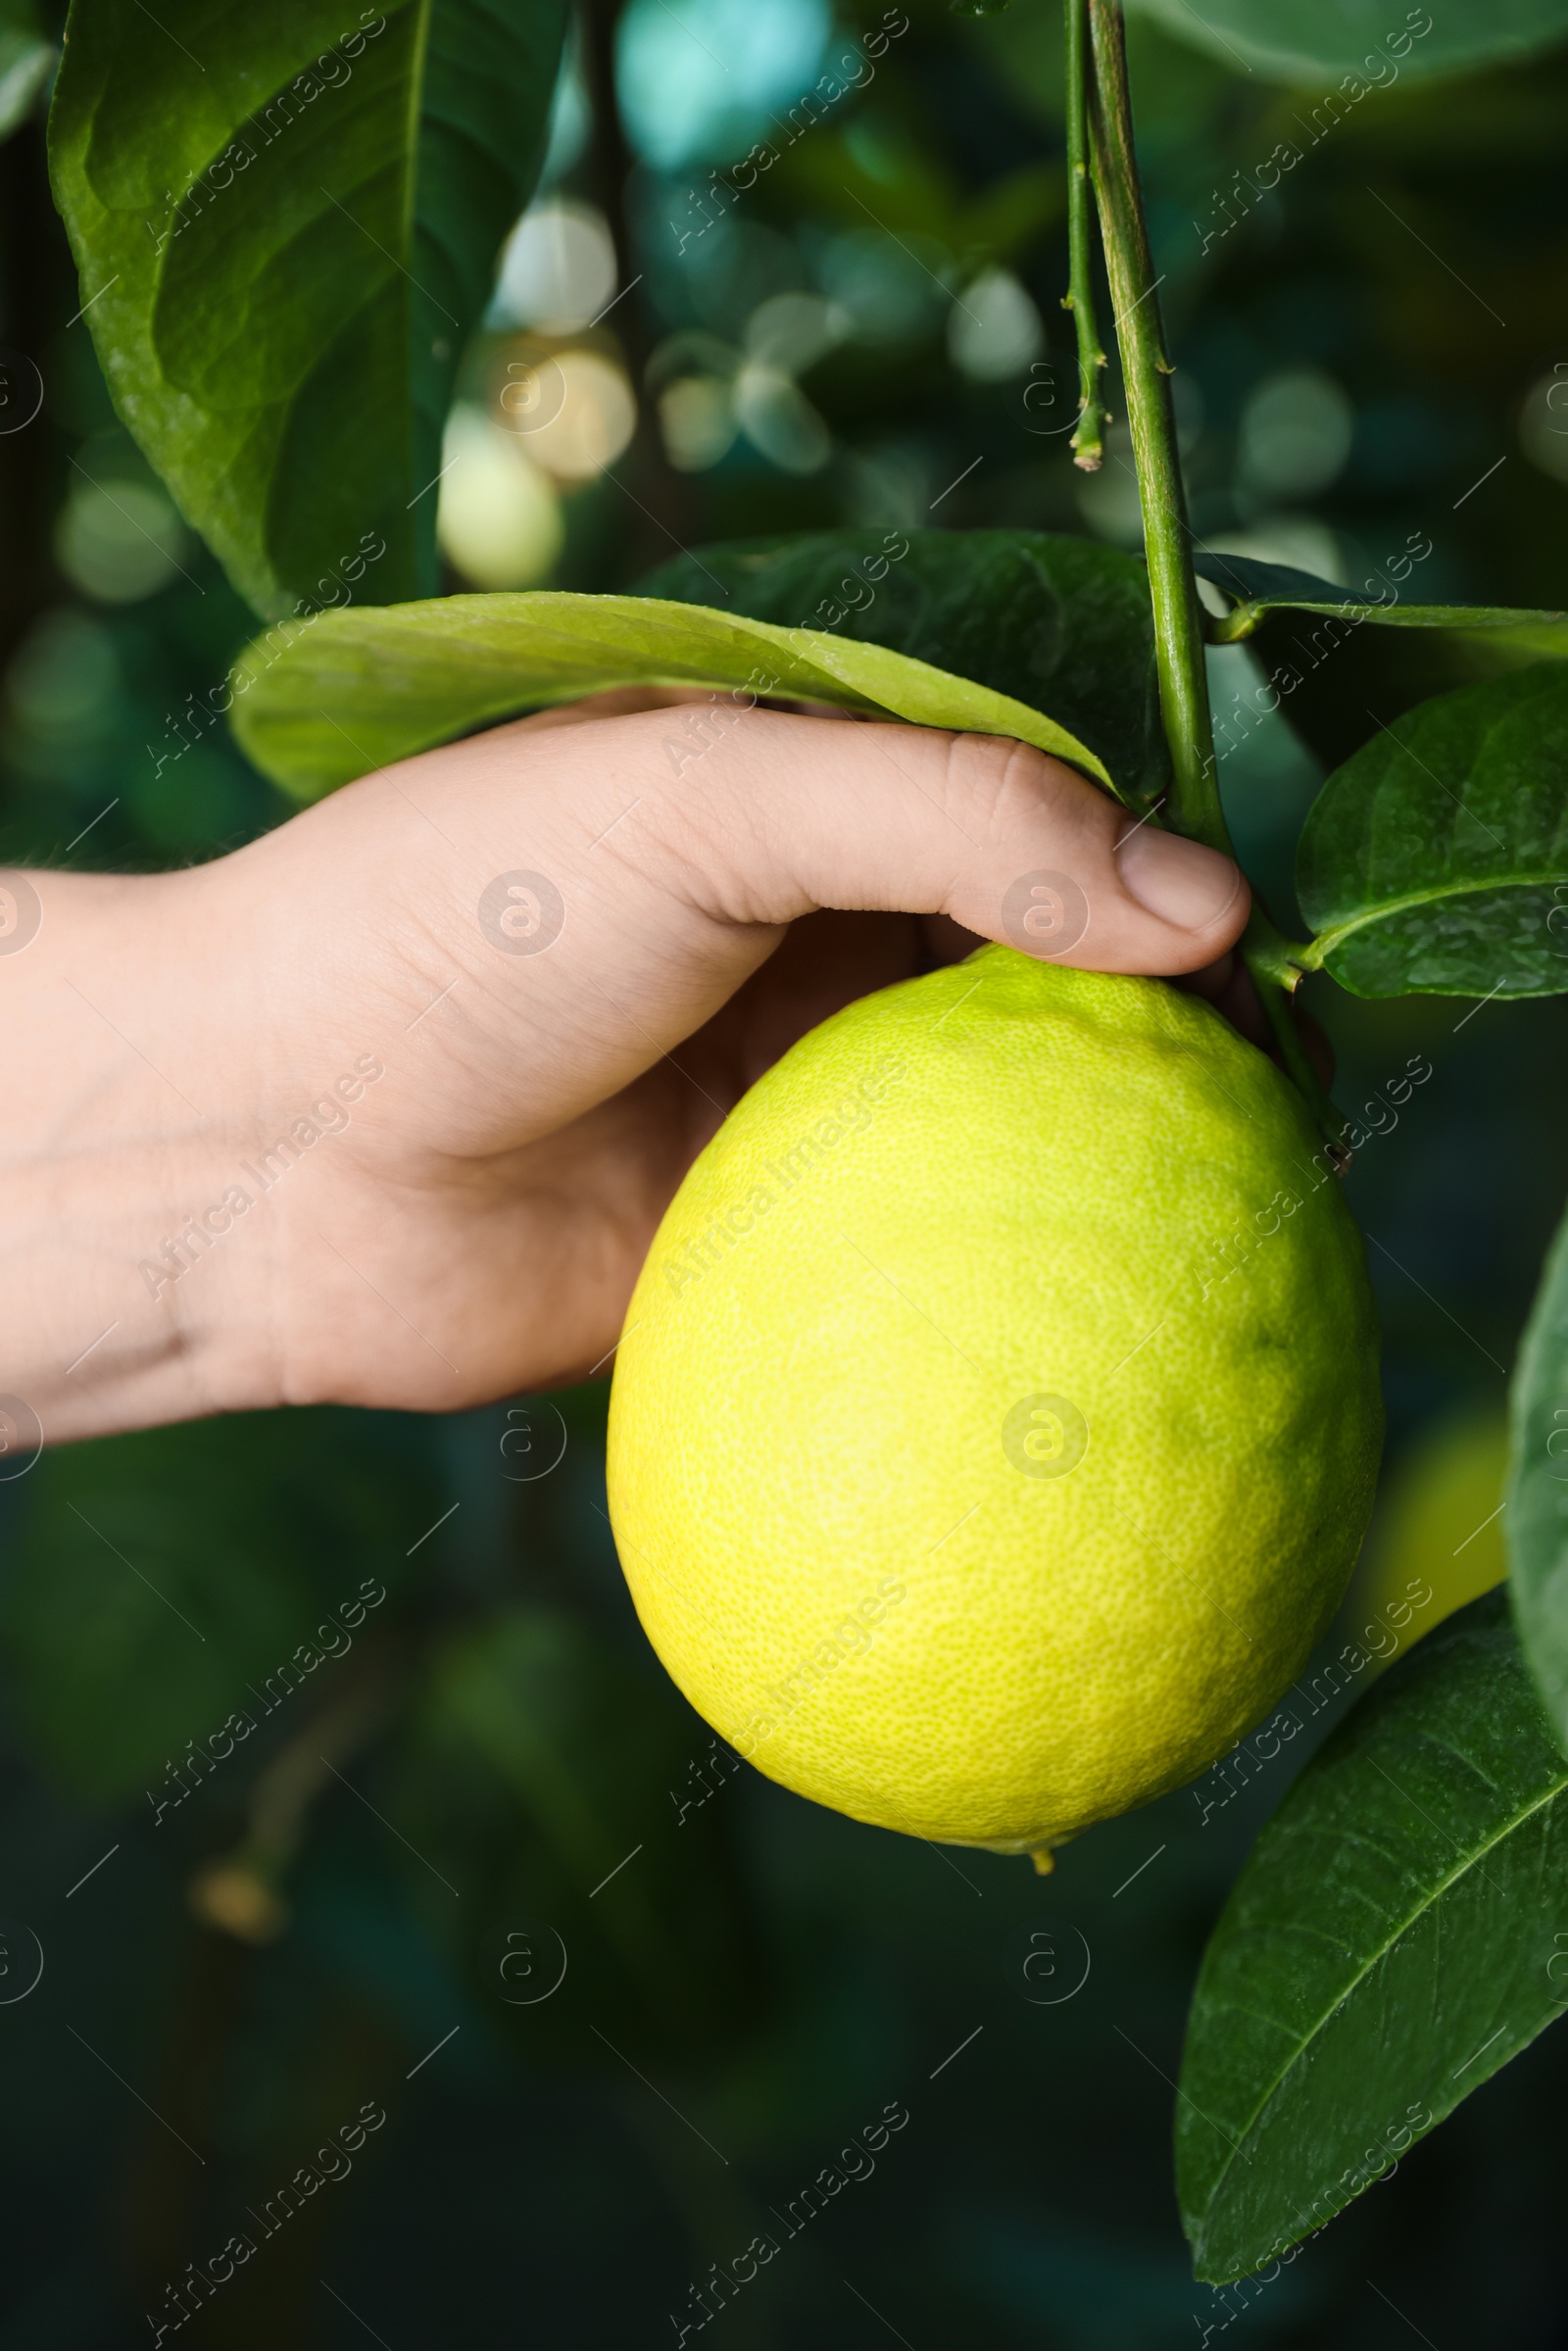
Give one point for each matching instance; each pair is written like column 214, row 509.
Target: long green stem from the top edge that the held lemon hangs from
column 1099, row 83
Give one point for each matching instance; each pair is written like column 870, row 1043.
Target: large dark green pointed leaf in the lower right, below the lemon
column 1391, row 1943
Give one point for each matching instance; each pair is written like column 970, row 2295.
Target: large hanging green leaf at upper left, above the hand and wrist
column 286, row 229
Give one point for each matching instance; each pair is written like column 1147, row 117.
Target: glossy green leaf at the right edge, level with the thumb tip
column 1435, row 859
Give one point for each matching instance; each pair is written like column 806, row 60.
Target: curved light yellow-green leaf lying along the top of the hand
column 323, row 702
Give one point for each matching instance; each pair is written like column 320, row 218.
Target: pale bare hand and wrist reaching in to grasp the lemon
column 469, row 1224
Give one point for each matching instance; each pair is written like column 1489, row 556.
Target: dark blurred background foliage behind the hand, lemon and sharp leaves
column 368, row 1896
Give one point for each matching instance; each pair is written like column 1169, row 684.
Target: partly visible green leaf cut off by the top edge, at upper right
column 1325, row 41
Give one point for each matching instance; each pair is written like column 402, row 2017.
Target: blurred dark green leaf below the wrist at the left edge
column 152, row 1579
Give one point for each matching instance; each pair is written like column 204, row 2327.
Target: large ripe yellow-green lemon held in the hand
column 996, row 1421
